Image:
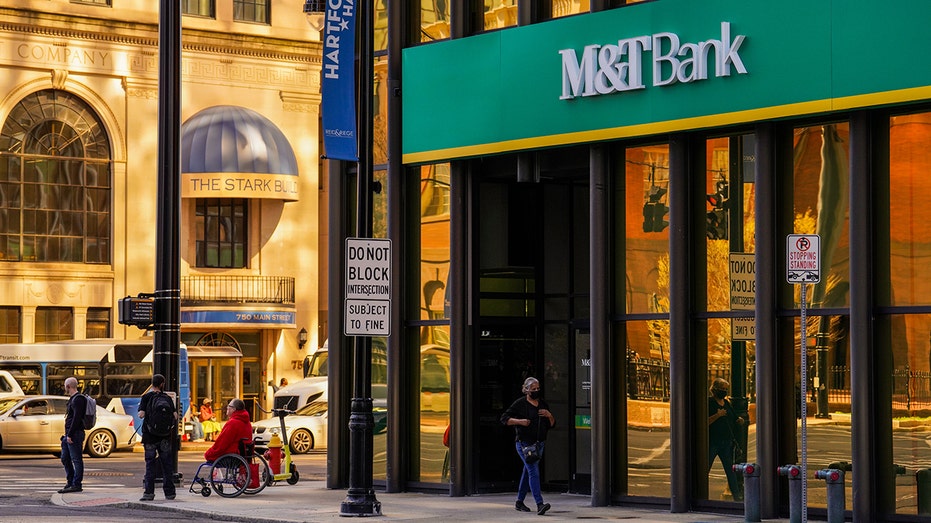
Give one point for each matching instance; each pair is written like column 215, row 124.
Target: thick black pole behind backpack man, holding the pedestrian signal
column 167, row 342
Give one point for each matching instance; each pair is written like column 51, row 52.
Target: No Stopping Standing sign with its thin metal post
column 803, row 266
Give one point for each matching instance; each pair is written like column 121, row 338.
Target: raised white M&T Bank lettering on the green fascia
column 610, row 68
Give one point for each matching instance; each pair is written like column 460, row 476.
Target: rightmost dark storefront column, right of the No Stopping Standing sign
column 871, row 409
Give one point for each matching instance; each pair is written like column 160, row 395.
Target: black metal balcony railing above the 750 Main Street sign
column 237, row 289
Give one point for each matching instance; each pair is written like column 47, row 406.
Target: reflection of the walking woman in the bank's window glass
column 722, row 423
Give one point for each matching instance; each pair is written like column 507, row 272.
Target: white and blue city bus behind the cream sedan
column 115, row 372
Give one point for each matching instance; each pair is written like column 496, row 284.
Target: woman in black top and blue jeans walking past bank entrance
column 531, row 419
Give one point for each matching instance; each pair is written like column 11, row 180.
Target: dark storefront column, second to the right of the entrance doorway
column 681, row 427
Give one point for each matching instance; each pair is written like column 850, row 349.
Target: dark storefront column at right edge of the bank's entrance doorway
column 601, row 286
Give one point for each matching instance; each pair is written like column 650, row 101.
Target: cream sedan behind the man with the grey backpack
column 36, row 424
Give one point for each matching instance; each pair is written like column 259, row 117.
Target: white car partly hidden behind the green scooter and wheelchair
column 306, row 428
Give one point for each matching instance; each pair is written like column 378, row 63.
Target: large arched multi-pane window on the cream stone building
column 55, row 181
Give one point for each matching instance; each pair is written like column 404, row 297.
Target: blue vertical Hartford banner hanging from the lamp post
column 338, row 85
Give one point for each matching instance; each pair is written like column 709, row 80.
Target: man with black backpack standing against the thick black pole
column 159, row 427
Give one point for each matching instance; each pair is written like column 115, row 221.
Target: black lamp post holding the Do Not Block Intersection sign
column 360, row 498
